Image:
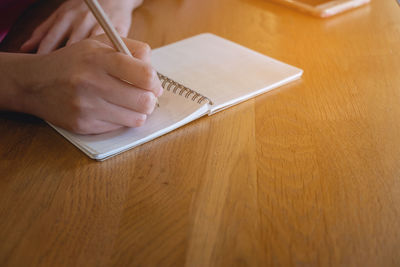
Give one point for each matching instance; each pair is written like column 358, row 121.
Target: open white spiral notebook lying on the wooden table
column 201, row 75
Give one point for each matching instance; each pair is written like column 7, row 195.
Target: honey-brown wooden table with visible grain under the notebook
column 306, row 175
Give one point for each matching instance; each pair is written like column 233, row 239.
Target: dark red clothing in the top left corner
column 10, row 10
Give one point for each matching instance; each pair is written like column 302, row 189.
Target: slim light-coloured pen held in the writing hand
column 108, row 28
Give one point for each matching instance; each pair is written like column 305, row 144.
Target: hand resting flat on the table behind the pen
column 73, row 22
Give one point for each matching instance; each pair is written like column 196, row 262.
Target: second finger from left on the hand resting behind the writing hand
column 56, row 35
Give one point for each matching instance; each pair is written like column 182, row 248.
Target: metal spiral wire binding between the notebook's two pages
column 182, row 90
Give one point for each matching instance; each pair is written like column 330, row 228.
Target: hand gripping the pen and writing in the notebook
column 89, row 88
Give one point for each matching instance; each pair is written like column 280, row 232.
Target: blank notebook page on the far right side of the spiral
column 224, row 71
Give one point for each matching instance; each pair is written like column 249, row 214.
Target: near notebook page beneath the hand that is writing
column 174, row 111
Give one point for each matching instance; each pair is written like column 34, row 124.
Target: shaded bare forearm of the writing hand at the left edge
column 13, row 77
